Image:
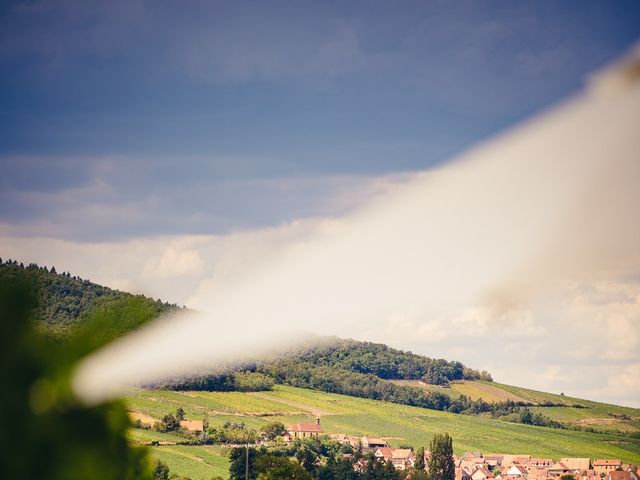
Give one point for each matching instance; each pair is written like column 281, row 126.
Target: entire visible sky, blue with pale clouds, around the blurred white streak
column 153, row 146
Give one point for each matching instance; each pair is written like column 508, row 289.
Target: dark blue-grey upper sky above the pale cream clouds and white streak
column 207, row 117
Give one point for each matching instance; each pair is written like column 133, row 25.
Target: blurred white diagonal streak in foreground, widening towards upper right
column 553, row 201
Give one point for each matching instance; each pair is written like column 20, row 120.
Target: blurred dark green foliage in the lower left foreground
column 45, row 431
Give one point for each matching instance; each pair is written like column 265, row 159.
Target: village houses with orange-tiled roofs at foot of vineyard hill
column 476, row 466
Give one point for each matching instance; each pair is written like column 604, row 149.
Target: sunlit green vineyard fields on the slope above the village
column 342, row 414
